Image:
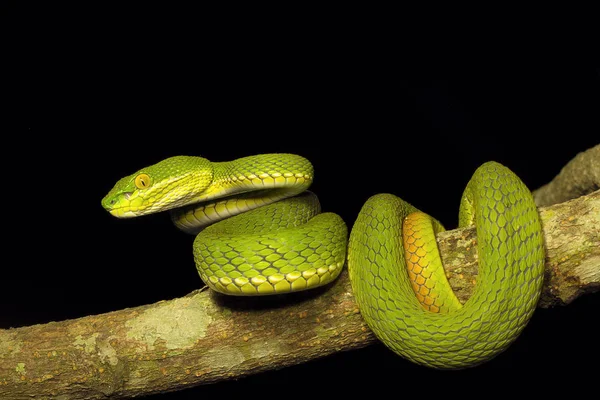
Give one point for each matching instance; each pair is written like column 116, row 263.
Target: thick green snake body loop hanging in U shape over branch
column 511, row 260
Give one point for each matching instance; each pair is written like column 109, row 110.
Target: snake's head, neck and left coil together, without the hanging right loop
column 258, row 230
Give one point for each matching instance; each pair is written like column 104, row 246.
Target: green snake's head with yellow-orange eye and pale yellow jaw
column 171, row 183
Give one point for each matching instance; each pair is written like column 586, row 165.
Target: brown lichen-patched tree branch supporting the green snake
column 205, row 337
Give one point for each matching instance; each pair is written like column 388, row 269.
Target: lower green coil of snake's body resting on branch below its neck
column 278, row 248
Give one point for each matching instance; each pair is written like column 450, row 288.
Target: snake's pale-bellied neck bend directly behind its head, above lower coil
column 243, row 185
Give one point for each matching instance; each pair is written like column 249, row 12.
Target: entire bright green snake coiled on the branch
column 259, row 232
